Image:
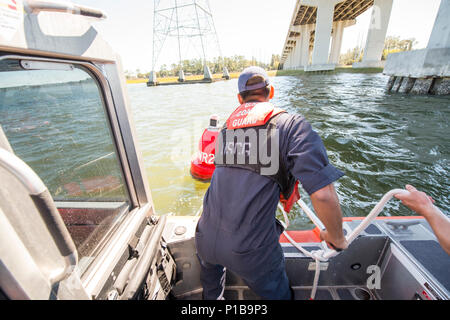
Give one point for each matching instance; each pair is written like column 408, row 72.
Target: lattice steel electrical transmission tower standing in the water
column 182, row 30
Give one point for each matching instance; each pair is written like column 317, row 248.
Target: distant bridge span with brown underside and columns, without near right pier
column 316, row 23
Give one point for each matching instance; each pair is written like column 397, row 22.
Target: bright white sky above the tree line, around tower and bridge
column 245, row 27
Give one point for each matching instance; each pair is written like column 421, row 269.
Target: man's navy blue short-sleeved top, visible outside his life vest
column 239, row 206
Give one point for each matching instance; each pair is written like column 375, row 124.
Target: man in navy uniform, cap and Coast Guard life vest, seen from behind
column 238, row 229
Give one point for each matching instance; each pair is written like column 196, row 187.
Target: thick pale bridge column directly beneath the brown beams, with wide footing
column 324, row 21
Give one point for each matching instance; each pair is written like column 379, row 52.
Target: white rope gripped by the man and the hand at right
column 325, row 253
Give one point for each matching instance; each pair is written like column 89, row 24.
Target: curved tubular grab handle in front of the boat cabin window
column 47, row 209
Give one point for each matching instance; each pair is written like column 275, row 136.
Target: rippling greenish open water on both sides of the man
column 381, row 141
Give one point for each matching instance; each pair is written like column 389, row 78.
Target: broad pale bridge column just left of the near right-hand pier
column 381, row 13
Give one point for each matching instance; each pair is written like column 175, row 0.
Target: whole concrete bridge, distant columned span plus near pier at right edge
column 317, row 23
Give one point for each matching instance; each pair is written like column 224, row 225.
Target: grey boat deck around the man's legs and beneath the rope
column 411, row 262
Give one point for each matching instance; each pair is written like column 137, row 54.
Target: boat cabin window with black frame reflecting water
column 55, row 120
